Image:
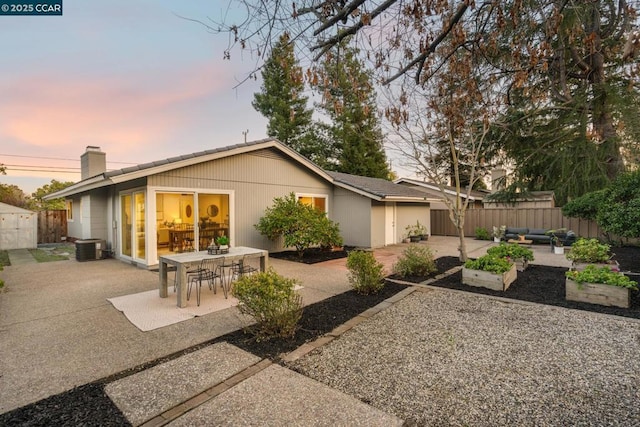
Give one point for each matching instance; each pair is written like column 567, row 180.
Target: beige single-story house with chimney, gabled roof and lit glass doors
column 150, row 209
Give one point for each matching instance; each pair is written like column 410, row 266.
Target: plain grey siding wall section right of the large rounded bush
column 353, row 212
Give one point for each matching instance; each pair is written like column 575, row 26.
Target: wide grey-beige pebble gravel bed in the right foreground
column 442, row 357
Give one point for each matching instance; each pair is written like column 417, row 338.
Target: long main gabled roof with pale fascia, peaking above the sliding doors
column 152, row 168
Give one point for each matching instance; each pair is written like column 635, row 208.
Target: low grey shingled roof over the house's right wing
column 377, row 188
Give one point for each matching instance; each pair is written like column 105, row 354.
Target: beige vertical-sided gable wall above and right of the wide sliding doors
column 253, row 180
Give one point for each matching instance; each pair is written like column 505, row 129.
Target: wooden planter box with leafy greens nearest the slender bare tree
column 489, row 271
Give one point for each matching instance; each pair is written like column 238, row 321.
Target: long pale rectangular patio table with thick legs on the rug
column 183, row 261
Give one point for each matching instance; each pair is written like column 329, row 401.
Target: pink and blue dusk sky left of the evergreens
column 128, row 76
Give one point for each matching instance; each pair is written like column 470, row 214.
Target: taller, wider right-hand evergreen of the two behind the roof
column 349, row 100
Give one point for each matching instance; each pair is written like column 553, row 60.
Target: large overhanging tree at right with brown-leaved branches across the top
column 570, row 66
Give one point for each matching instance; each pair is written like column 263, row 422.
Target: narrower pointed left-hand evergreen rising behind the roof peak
column 281, row 98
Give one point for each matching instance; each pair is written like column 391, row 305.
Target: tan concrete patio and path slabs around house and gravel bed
column 58, row 332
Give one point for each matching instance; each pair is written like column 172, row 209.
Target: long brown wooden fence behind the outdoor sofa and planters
column 548, row 218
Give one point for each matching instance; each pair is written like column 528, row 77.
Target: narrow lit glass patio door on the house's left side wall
column 133, row 225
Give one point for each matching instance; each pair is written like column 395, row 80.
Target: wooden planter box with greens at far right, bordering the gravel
column 599, row 285
